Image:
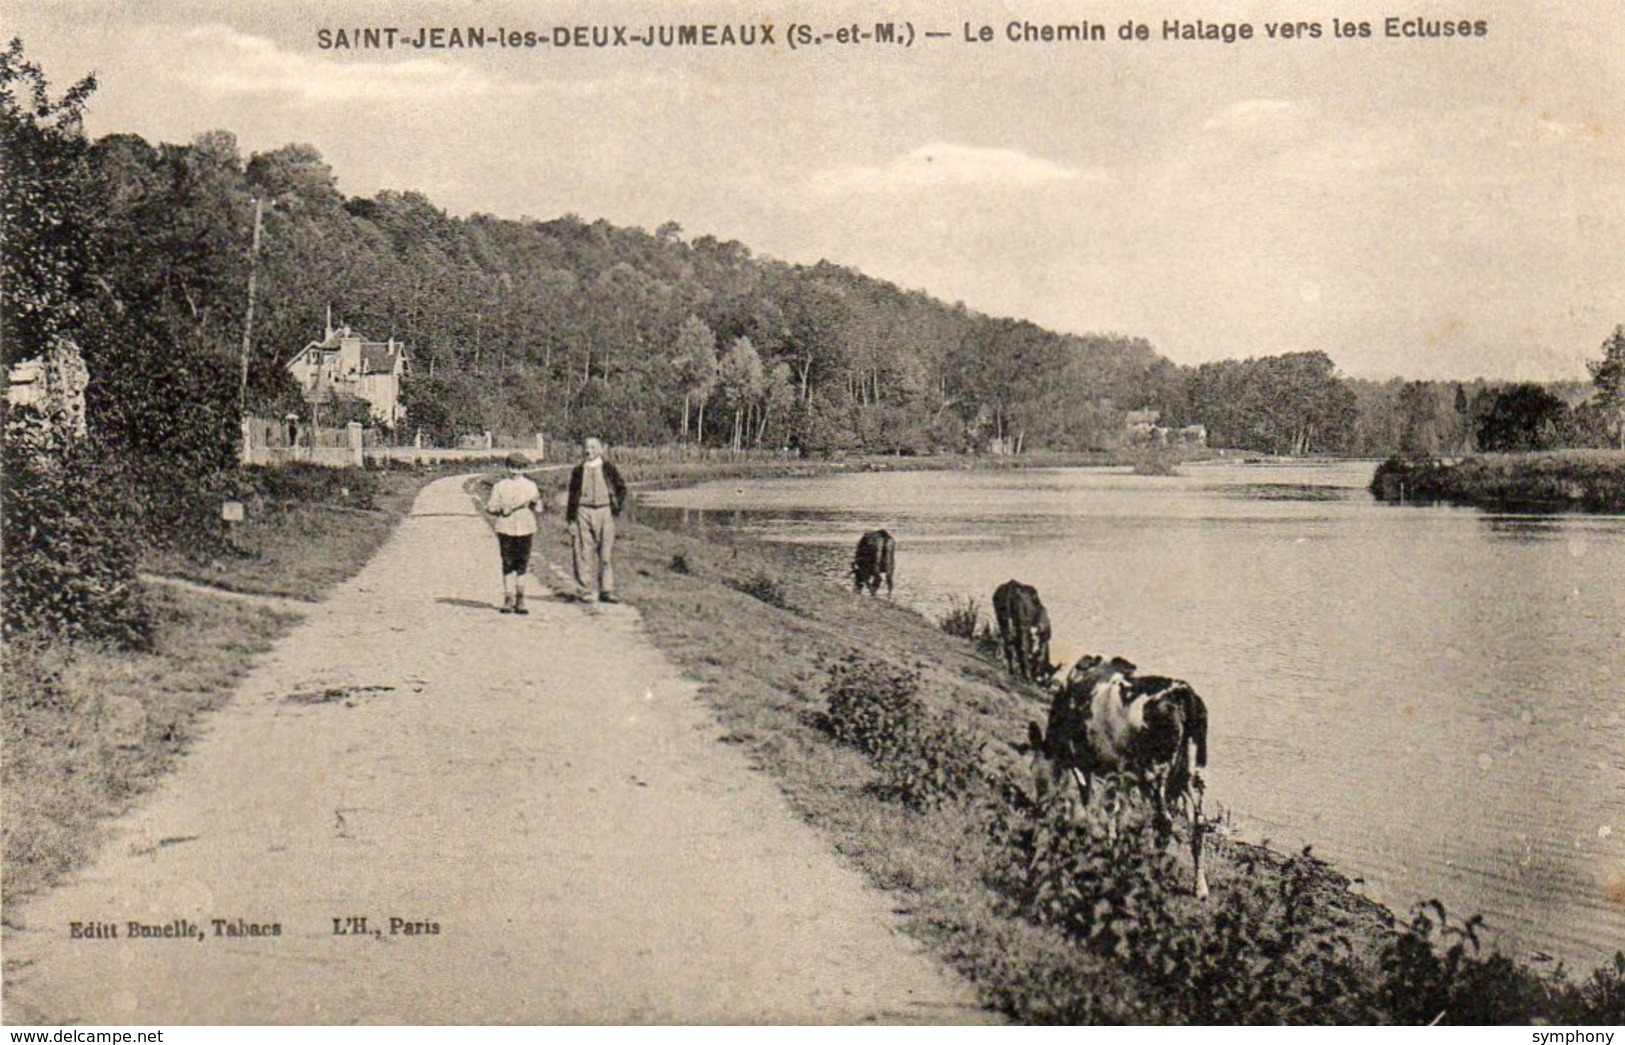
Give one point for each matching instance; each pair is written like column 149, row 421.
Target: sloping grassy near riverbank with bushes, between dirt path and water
column 898, row 740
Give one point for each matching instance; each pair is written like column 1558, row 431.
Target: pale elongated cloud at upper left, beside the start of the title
column 227, row 63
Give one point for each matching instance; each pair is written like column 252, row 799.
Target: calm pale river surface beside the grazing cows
column 1431, row 696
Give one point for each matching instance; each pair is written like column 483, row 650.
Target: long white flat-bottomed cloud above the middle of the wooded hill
column 948, row 167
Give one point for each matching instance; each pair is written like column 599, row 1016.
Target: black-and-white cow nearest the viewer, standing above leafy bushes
column 1107, row 719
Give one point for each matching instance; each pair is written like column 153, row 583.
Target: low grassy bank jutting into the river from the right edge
column 1558, row 480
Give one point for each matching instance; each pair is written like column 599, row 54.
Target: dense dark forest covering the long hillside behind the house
column 142, row 256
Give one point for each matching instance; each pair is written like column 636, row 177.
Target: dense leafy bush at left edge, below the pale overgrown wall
column 69, row 565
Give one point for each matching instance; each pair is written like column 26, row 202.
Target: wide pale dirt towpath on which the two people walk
column 545, row 797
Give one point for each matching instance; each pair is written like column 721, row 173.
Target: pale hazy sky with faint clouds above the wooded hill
column 1444, row 209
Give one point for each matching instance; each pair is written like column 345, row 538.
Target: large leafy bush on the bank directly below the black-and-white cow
column 1263, row 952
